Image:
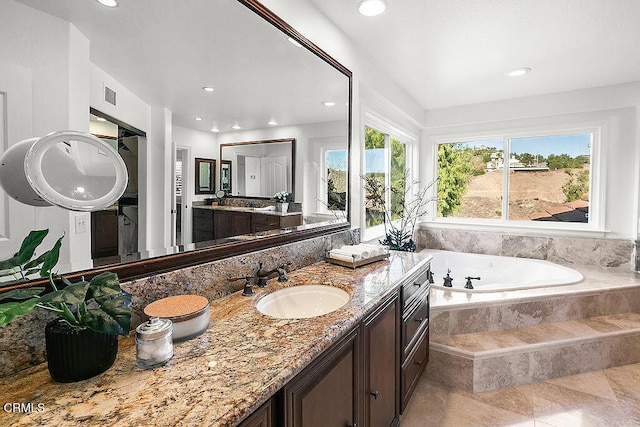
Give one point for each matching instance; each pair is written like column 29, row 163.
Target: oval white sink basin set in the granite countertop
column 299, row 302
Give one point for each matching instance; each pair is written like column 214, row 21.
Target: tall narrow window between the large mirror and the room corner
column 386, row 161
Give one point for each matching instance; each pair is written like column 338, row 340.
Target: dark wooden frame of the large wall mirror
column 165, row 263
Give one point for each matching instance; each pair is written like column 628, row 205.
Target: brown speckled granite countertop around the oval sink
column 219, row 377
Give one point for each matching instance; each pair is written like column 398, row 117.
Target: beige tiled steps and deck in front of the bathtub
column 485, row 341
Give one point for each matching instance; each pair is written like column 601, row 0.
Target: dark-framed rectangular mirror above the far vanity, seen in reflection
column 263, row 168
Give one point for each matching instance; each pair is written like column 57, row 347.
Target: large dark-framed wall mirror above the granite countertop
column 192, row 81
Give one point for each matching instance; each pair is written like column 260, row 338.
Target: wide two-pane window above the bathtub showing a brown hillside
column 515, row 178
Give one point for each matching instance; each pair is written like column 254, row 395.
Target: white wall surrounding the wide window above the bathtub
column 614, row 108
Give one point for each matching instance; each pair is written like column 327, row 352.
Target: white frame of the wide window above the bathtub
column 596, row 179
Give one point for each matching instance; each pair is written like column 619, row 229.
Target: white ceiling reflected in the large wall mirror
column 165, row 53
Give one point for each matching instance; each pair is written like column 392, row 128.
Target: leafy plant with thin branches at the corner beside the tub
column 399, row 216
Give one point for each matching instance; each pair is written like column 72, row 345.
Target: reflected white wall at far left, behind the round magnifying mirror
column 58, row 59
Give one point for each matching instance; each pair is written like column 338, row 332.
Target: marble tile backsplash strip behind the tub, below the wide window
column 560, row 249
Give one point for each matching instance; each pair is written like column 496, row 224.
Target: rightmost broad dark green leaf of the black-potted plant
column 113, row 317
